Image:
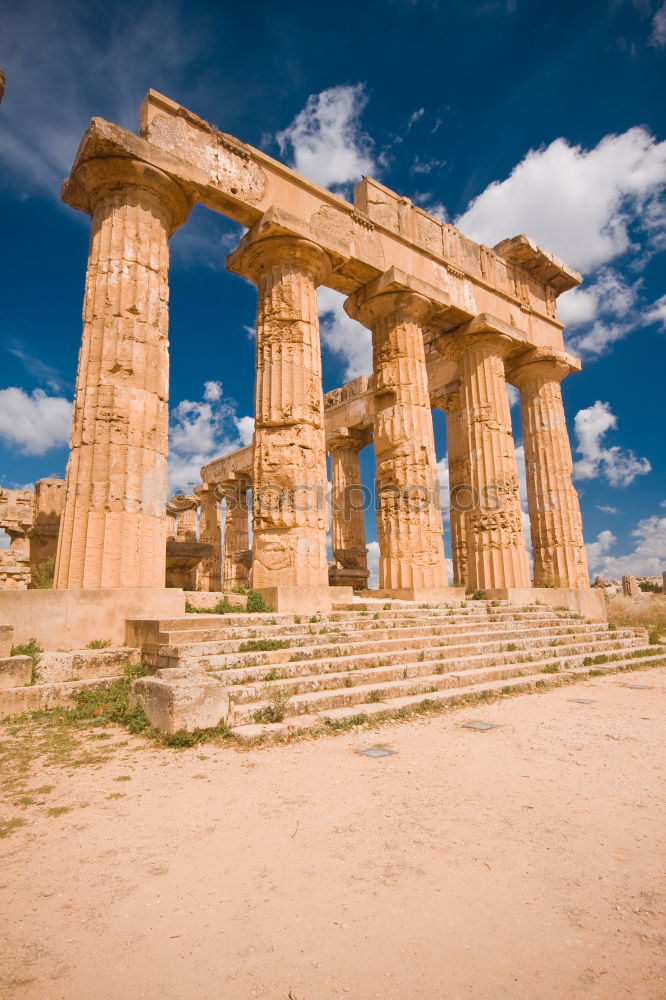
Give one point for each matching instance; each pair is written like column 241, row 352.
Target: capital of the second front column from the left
column 255, row 256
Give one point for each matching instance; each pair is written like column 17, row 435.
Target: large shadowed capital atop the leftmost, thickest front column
column 105, row 176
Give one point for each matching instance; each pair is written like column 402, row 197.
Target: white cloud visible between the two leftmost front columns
column 200, row 431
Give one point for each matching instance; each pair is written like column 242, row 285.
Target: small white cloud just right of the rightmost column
column 617, row 466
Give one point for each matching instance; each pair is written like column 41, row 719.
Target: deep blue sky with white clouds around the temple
column 503, row 117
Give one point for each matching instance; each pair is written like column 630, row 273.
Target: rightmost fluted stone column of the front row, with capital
column 560, row 559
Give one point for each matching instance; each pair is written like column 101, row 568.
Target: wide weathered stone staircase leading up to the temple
column 264, row 672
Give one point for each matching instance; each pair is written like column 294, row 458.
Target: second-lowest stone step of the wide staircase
column 318, row 694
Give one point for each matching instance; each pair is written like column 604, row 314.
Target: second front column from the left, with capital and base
column 289, row 481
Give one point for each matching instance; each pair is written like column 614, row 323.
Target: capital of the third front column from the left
column 400, row 294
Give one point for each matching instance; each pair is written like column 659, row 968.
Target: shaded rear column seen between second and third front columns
column 350, row 553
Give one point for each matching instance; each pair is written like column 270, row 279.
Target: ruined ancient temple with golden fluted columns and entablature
column 452, row 324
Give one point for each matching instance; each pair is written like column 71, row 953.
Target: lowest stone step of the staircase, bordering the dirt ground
column 337, row 717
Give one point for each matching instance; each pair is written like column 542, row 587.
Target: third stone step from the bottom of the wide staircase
column 322, row 659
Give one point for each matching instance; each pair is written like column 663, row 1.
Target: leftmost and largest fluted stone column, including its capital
column 113, row 530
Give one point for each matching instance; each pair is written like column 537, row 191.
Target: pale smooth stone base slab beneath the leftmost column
column 70, row 619
